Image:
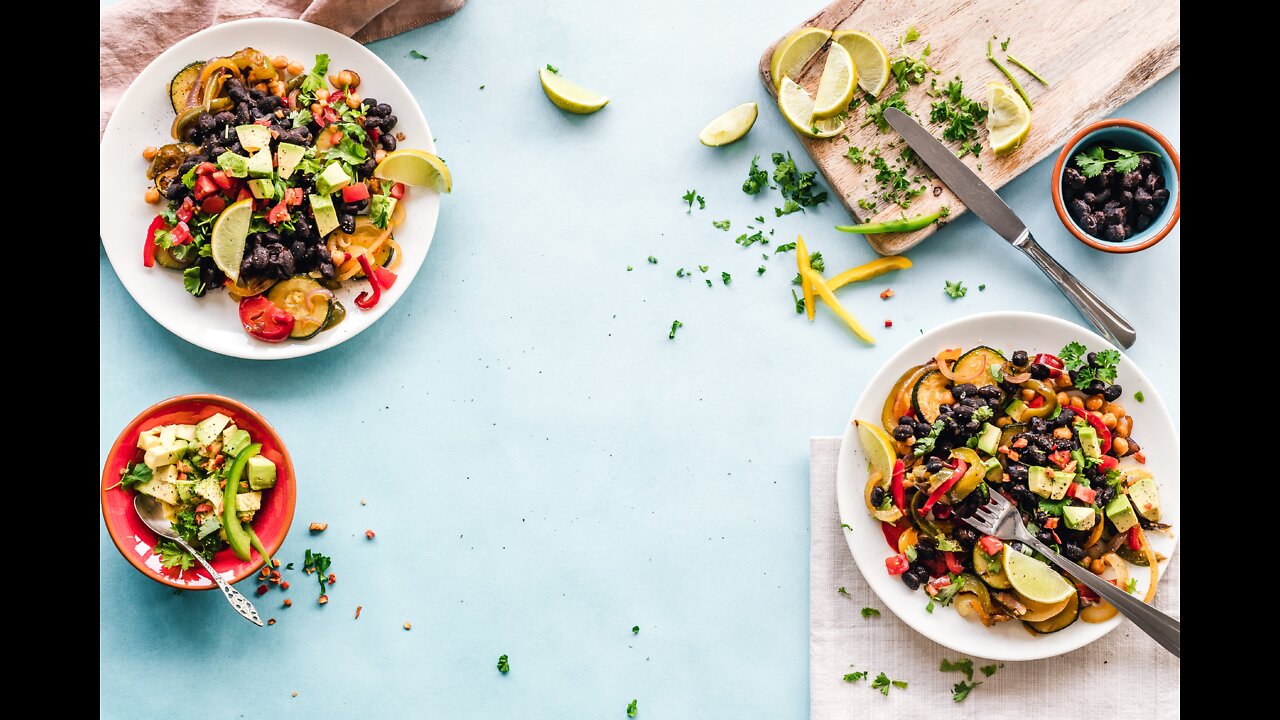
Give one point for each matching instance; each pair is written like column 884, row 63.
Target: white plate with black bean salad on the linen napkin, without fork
column 1048, row 414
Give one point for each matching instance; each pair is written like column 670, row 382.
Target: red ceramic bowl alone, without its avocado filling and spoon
column 136, row 541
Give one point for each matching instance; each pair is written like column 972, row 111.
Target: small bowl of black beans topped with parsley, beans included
column 1116, row 186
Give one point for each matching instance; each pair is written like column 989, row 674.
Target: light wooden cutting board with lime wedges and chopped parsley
column 1096, row 56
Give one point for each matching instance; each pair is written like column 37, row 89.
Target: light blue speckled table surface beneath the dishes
column 543, row 468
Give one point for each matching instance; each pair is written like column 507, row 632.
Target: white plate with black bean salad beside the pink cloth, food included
column 246, row 199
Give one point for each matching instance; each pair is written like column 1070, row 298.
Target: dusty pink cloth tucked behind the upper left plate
column 136, row 31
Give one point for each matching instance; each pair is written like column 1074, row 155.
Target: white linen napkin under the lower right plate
column 1123, row 676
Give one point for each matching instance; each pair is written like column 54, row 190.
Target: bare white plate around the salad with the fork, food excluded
column 1007, row 332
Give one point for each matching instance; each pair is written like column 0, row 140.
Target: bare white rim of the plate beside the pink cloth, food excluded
column 121, row 240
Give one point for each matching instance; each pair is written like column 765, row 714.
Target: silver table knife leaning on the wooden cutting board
column 988, row 206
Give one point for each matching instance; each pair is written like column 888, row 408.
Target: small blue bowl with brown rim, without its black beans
column 1131, row 135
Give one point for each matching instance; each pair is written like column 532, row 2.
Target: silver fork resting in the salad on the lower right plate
column 999, row 518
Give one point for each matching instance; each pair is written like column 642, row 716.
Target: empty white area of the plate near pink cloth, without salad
column 144, row 117
